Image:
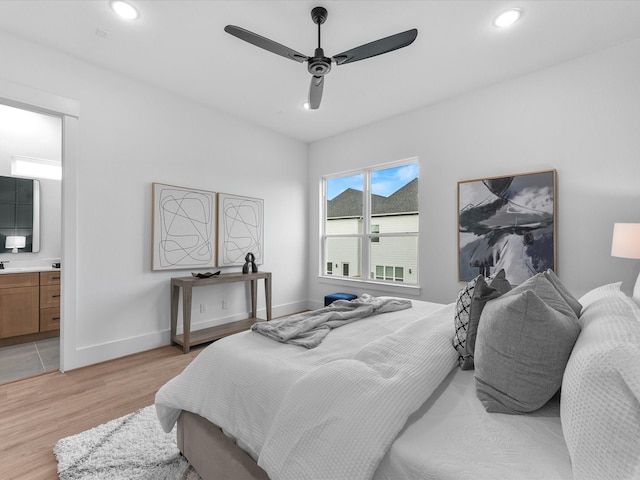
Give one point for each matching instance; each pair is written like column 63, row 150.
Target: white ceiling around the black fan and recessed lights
column 180, row 45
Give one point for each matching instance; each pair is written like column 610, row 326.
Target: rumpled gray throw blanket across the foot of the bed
column 308, row 329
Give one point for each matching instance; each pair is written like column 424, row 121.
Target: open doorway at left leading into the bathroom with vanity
column 31, row 146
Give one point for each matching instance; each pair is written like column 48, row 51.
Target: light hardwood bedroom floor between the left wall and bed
column 36, row 412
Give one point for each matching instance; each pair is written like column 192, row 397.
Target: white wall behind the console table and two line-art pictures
column 130, row 135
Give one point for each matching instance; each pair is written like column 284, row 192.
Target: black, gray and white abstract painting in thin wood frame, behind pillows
column 507, row 222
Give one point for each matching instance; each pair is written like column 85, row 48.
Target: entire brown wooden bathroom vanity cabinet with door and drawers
column 29, row 303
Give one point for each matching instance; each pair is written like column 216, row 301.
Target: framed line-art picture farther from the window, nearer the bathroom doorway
column 184, row 223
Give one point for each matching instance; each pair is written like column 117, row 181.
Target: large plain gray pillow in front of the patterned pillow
column 523, row 344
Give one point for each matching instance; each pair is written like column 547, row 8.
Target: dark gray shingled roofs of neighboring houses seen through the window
column 349, row 202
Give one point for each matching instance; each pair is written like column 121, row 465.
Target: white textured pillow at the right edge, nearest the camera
column 600, row 402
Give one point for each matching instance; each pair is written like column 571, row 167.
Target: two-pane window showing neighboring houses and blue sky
column 370, row 224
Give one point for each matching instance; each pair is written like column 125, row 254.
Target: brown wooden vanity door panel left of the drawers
column 19, row 304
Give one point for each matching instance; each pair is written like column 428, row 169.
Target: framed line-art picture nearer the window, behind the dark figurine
column 240, row 229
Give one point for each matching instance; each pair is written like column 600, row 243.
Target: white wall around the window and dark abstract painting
column 581, row 118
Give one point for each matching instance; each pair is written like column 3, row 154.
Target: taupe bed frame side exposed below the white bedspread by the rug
column 214, row 455
